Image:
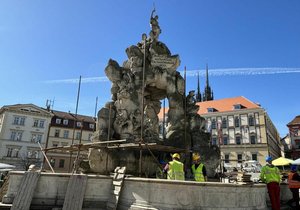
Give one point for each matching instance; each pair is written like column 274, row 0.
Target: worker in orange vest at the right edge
column 294, row 185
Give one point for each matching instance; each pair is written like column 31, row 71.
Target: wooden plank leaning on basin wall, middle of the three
column 75, row 192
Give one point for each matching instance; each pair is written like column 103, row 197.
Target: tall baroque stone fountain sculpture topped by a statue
column 148, row 76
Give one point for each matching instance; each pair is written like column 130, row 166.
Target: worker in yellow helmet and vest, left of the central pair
column 174, row 168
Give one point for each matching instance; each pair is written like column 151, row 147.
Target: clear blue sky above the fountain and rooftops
column 252, row 48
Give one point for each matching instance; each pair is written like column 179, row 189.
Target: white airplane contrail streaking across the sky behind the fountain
column 202, row 73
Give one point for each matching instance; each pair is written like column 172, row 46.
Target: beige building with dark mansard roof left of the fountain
column 67, row 129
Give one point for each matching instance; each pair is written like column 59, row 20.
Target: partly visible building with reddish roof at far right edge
column 294, row 131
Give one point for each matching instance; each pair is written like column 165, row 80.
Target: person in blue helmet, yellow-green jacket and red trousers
column 270, row 174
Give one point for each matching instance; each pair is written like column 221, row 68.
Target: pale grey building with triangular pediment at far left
column 22, row 127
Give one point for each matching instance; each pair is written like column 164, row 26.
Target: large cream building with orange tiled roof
column 241, row 128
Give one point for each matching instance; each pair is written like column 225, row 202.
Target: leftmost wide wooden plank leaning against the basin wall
column 25, row 192
